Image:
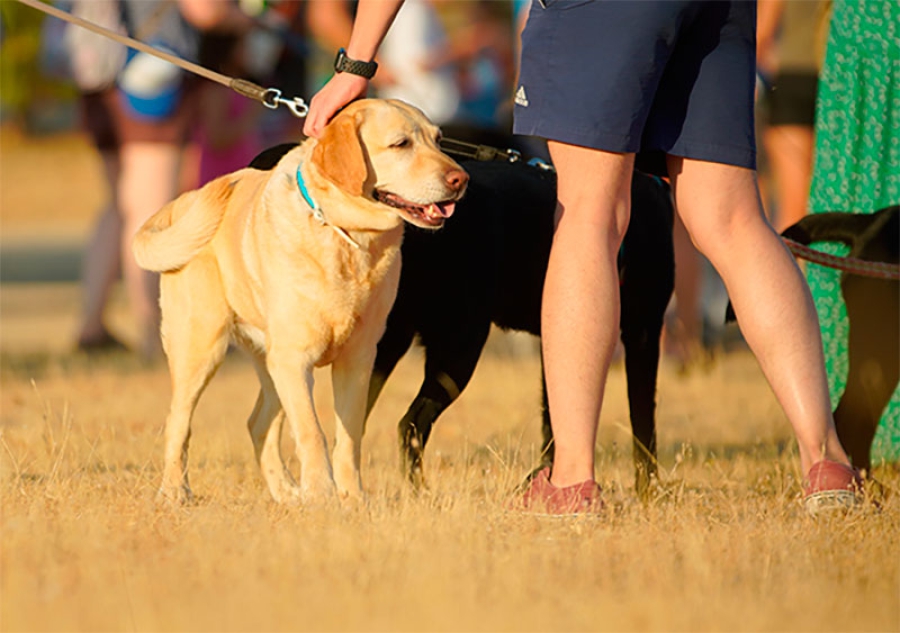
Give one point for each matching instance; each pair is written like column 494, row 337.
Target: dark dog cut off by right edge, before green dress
column 873, row 313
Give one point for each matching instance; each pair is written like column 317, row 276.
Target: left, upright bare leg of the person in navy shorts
column 580, row 314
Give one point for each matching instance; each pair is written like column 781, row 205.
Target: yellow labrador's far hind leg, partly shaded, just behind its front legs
column 265, row 425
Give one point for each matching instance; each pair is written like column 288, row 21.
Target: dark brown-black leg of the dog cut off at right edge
column 873, row 364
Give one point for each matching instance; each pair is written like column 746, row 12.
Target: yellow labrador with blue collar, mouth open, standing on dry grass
column 299, row 265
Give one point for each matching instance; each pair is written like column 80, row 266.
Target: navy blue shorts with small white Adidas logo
column 655, row 77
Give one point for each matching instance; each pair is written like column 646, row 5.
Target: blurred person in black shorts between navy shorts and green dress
column 788, row 63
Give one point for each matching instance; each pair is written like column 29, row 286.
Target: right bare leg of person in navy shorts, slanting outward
column 722, row 211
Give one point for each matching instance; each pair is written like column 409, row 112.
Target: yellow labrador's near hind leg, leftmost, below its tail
column 195, row 341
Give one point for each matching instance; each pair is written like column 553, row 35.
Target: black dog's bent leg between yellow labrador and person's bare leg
column 449, row 364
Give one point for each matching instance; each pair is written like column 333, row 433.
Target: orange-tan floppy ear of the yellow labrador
column 339, row 155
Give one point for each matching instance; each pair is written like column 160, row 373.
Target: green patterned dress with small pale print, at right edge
column 857, row 166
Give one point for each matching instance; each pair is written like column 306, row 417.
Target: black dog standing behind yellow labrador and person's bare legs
column 487, row 266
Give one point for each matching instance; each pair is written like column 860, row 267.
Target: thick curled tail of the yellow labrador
column 177, row 232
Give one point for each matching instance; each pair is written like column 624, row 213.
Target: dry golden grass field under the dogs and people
column 85, row 546
